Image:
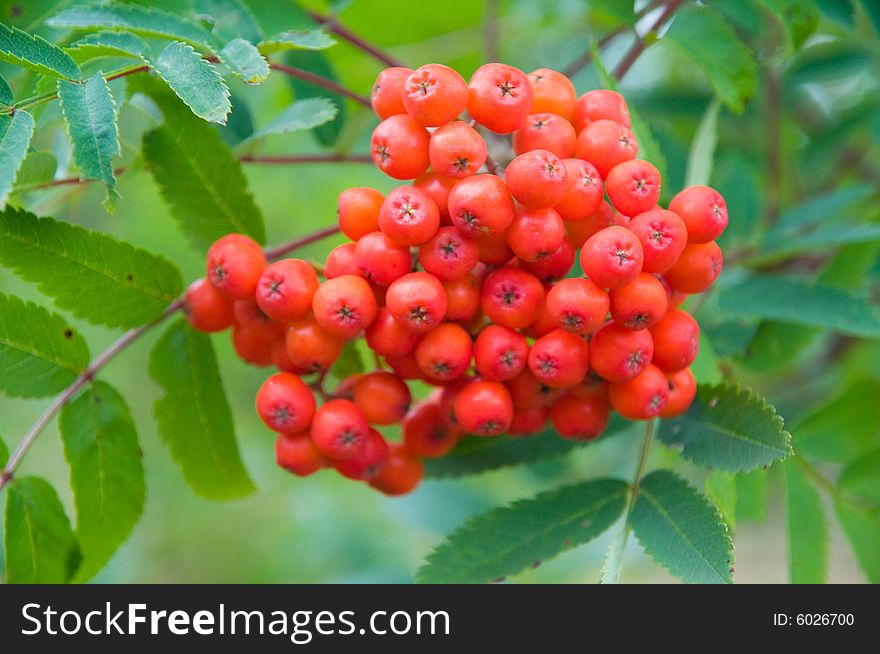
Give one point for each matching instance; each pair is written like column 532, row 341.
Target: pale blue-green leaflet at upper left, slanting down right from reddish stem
column 194, row 80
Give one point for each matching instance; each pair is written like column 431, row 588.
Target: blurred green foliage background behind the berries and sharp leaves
column 327, row 529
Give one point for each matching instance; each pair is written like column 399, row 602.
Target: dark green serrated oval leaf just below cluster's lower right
column 730, row 428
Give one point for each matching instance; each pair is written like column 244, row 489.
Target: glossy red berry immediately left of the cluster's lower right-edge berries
column 618, row 353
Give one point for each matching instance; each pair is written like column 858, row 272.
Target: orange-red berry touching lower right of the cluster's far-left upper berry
column 286, row 288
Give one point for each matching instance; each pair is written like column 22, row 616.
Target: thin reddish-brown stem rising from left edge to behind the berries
column 116, row 348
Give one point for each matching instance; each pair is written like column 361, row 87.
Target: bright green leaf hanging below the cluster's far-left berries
column 194, row 416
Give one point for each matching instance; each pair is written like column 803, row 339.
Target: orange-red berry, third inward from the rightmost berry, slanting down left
column 612, row 257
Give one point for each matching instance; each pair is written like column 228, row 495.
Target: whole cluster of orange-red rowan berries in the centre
column 462, row 280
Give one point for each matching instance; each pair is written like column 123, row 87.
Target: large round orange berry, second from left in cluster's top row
column 434, row 94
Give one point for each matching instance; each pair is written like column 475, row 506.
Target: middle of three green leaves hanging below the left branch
column 106, row 474
